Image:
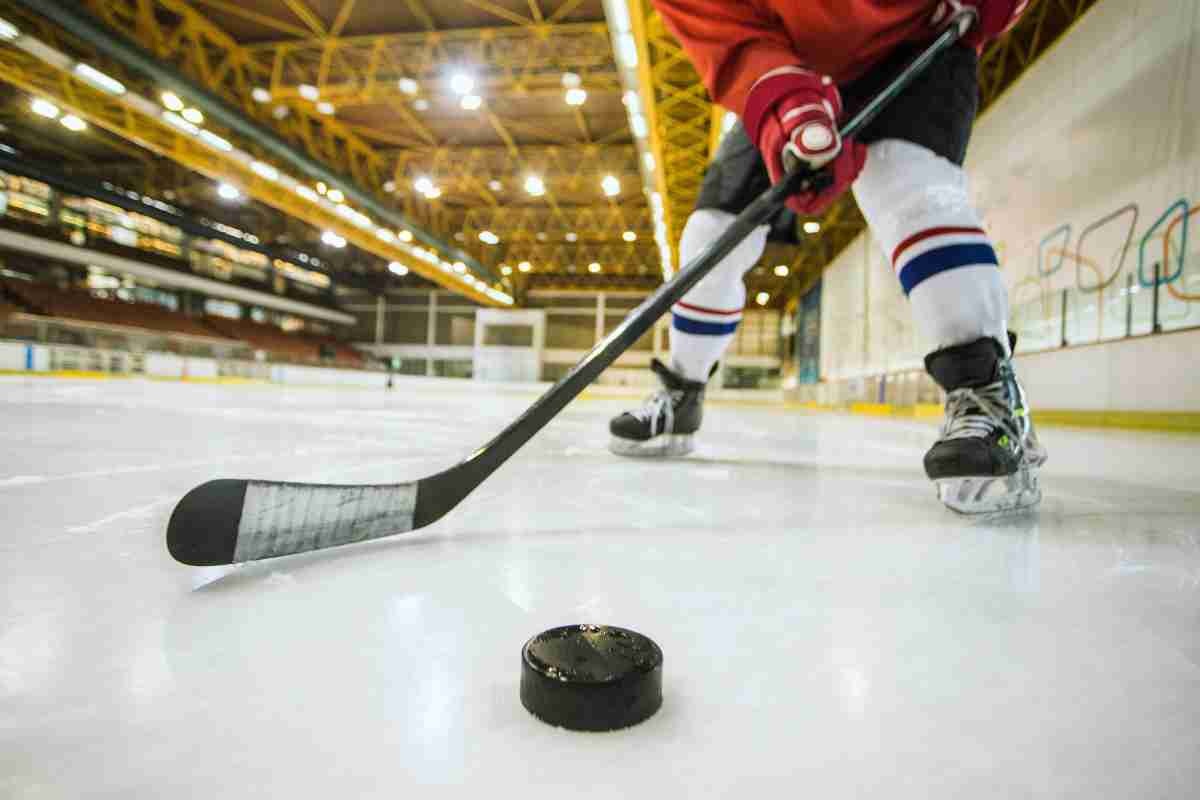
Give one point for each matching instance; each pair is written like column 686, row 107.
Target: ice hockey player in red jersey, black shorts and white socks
column 790, row 70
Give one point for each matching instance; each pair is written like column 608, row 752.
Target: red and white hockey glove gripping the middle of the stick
column 793, row 117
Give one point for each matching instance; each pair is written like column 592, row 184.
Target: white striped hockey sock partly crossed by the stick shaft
column 704, row 323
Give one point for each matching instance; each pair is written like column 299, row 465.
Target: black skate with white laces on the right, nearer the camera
column 988, row 454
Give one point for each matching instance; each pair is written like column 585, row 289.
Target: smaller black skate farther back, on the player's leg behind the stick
column 668, row 422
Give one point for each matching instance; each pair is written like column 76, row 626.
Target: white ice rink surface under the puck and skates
column 830, row 630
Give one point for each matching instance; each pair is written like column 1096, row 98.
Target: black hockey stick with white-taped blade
column 232, row 521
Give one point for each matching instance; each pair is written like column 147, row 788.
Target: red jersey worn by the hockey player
column 735, row 43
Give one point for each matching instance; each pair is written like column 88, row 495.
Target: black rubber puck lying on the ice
column 591, row 677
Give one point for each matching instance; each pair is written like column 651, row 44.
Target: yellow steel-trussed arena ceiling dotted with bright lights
column 440, row 113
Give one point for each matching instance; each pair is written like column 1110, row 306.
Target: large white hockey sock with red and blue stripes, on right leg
column 921, row 214
